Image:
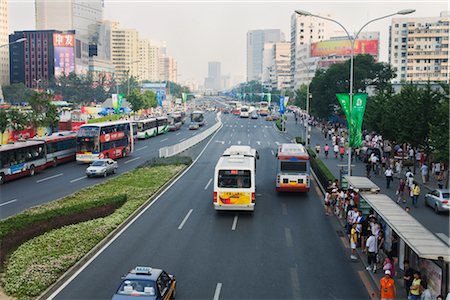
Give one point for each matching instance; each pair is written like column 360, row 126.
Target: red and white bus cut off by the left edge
column 21, row 159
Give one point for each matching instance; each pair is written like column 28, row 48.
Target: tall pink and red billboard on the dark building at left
column 64, row 44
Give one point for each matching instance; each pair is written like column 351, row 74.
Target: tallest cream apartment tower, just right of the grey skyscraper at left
column 125, row 52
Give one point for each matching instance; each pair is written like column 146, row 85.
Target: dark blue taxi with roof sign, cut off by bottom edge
column 146, row 282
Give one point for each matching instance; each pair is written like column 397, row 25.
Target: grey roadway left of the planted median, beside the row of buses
column 65, row 179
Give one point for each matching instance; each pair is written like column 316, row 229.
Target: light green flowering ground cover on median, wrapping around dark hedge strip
column 39, row 262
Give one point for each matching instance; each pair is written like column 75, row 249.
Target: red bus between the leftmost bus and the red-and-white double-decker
column 60, row 147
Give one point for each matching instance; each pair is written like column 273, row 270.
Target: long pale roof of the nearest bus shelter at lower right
column 422, row 241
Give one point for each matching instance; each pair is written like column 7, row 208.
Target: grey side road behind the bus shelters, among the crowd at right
column 425, row 215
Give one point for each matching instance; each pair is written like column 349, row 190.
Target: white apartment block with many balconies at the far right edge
column 418, row 48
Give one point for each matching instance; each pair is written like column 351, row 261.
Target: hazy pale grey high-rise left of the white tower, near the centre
column 255, row 44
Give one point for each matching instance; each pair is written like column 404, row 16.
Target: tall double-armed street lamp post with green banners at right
column 352, row 42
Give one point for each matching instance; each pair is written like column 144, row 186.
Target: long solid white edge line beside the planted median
column 86, row 264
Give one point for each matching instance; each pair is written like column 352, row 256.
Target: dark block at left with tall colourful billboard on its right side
column 45, row 54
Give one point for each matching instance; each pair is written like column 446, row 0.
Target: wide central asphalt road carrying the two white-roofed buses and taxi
column 287, row 248
